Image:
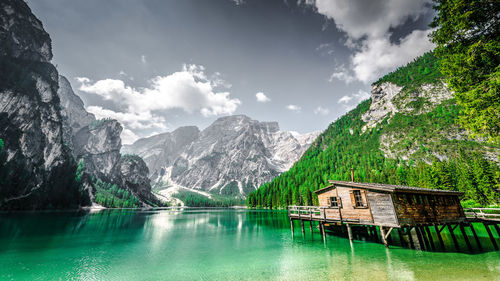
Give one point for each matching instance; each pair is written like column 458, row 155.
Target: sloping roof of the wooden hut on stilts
column 387, row 187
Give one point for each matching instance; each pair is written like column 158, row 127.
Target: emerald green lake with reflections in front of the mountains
column 219, row 244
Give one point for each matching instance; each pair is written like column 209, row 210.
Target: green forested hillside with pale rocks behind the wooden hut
column 422, row 146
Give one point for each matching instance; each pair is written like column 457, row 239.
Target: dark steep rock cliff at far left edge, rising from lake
column 37, row 170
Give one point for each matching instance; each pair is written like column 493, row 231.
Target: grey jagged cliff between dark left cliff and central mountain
column 97, row 144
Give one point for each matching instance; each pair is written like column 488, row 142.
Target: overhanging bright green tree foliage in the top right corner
column 468, row 47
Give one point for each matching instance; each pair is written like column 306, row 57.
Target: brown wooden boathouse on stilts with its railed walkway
column 409, row 210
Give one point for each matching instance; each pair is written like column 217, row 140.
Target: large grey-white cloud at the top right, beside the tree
column 368, row 24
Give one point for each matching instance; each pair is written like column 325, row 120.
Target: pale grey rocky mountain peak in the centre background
column 233, row 156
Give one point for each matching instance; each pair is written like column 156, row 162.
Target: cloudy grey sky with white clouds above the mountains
column 155, row 65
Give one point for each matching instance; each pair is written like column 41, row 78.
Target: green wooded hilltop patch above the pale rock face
column 422, row 70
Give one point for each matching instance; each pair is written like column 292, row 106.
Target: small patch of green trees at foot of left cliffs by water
column 110, row 195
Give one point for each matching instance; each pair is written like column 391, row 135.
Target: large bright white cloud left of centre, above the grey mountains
column 189, row 90
